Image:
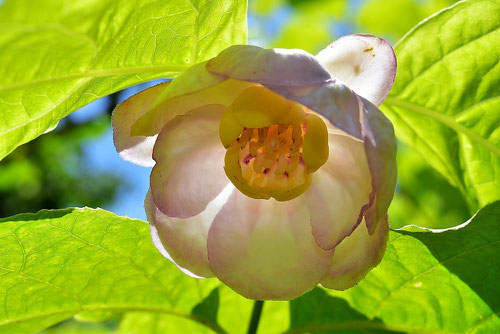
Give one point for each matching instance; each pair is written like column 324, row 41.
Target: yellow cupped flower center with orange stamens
column 272, row 144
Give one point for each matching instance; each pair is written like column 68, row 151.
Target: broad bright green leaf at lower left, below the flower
column 57, row 264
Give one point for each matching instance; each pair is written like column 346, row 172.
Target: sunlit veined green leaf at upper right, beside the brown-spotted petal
column 445, row 103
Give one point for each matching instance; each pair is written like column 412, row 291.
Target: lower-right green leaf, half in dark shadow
column 445, row 282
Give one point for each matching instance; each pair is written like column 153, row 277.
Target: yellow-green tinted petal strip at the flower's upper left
column 192, row 89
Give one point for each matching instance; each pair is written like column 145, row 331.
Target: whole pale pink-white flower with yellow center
column 272, row 169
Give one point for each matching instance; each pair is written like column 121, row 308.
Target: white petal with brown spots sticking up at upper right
column 366, row 63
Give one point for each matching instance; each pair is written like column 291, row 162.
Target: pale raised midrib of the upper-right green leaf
column 445, row 120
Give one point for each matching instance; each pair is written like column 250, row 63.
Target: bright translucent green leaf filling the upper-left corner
column 57, row 56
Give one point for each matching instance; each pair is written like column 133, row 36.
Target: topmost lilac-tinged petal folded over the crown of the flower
column 269, row 66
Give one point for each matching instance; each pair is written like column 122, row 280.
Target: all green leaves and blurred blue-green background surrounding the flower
column 90, row 271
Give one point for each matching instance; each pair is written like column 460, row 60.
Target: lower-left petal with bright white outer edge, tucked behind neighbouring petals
column 184, row 241
